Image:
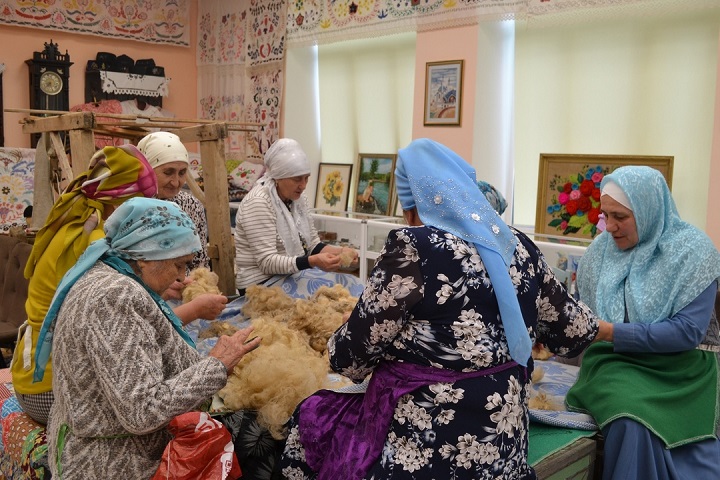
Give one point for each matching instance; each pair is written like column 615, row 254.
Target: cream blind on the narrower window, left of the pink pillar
column 366, row 100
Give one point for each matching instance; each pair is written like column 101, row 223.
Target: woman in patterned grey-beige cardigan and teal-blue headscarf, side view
column 123, row 367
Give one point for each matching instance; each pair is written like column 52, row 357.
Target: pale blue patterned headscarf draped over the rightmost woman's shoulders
column 672, row 263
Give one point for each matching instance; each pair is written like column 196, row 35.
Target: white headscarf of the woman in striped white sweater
column 286, row 159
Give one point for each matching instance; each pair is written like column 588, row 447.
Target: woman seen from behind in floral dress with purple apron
column 445, row 326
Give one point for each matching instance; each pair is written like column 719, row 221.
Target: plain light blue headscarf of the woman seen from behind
column 443, row 187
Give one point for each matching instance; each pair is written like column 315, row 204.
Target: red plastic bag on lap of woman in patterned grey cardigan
column 201, row 449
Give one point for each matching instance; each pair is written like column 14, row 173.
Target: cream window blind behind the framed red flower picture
column 640, row 85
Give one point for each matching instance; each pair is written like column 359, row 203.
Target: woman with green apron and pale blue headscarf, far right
column 653, row 386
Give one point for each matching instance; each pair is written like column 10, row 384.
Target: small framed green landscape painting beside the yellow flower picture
column 374, row 183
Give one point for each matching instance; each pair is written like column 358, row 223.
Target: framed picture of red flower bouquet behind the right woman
column 560, row 211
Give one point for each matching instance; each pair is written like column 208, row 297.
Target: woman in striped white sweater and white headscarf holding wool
column 274, row 233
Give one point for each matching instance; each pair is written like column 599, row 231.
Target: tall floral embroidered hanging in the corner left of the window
column 241, row 47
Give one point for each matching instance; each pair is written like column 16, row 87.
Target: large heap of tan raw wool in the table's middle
column 289, row 365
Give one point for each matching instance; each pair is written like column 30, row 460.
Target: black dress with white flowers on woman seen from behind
column 429, row 301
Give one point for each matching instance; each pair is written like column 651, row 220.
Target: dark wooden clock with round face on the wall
column 49, row 74
